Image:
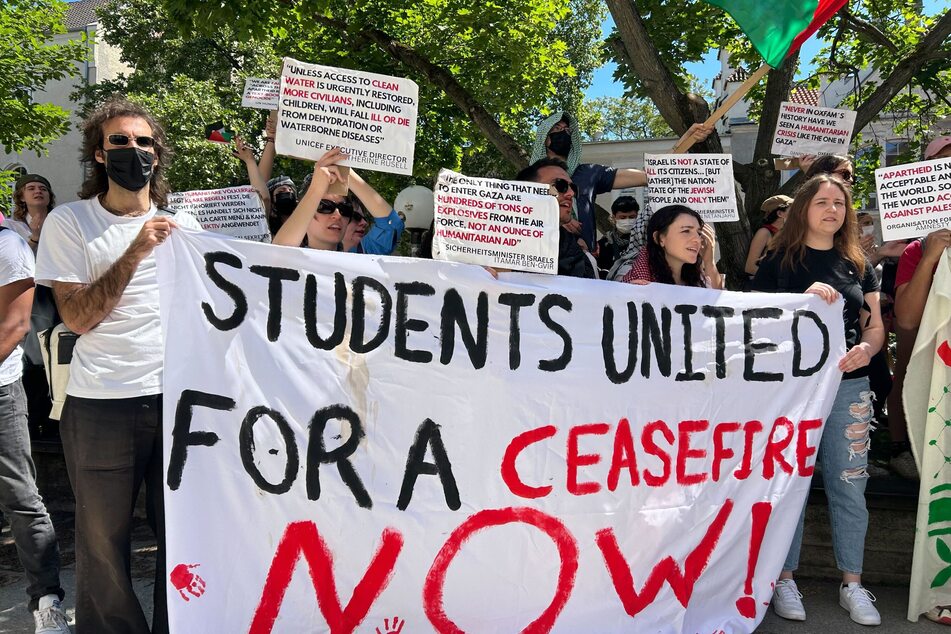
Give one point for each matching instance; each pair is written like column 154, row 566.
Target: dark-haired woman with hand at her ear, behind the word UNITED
column 679, row 251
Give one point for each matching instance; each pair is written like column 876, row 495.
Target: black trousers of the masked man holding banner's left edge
column 111, row 446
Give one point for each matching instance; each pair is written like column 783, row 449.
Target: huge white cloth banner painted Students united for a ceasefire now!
column 353, row 442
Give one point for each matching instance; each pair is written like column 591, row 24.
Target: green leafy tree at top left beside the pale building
column 28, row 60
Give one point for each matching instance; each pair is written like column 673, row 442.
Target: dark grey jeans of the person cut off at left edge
column 20, row 500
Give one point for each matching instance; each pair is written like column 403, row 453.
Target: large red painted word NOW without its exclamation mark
column 302, row 539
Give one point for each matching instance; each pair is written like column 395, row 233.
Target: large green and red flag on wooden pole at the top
column 777, row 28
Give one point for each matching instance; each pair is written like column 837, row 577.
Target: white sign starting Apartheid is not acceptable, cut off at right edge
column 914, row 199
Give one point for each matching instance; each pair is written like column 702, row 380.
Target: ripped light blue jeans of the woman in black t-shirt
column 843, row 454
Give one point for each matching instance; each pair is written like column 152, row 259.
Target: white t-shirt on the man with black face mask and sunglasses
column 122, row 356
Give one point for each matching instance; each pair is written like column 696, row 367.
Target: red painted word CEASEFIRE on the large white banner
column 689, row 453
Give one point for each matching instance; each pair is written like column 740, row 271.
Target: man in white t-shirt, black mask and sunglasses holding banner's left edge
column 97, row 255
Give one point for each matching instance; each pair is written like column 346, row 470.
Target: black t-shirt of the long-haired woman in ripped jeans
column 830, row 268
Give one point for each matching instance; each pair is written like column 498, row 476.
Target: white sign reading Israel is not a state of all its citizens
column 703, row 182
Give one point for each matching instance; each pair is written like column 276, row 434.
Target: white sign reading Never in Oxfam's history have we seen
column 804, row 129
